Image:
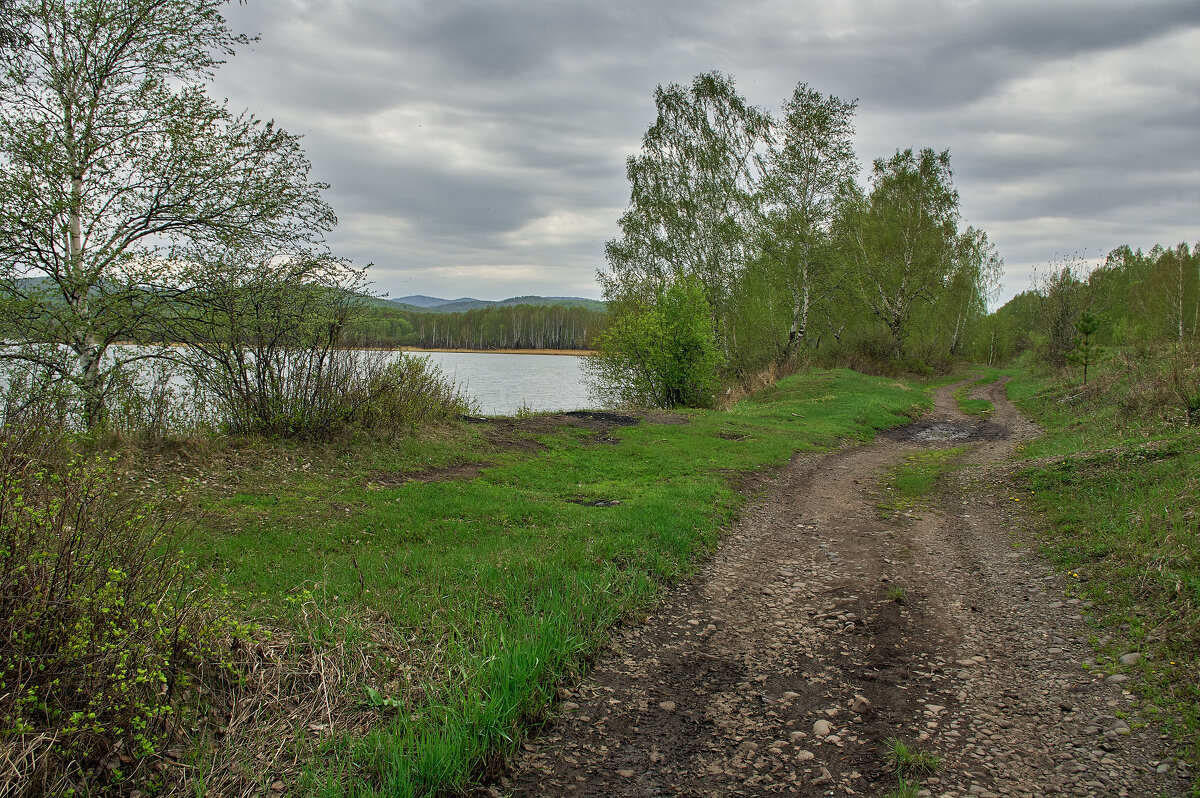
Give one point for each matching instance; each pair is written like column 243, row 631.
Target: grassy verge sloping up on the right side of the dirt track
column 1118, row 473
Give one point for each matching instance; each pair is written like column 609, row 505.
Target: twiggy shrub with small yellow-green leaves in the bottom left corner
column 103, row 628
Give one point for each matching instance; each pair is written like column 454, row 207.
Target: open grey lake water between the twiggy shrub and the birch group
column 503, row 385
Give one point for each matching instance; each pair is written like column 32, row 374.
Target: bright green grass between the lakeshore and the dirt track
column 506, row 584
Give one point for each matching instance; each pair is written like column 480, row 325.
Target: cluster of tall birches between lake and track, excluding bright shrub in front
column 766, row 214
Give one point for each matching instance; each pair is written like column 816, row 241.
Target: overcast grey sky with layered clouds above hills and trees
column 478, row 149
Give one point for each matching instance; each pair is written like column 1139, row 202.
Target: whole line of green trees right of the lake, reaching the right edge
column 751, row 247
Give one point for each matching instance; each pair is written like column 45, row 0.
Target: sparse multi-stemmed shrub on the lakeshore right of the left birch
column 268, row 341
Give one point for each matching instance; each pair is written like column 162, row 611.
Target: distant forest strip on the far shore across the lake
column 508, row 327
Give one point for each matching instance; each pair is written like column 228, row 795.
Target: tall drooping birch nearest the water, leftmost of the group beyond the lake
column 692, row 224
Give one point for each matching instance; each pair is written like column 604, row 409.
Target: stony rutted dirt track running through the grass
column 784, row 668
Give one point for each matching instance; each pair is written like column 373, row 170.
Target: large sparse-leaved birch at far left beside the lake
column 113, row 163
